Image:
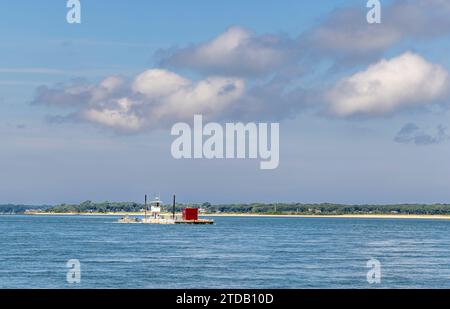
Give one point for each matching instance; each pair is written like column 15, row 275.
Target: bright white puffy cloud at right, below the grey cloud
column 404, row 81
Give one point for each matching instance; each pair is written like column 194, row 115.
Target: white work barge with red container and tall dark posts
column 189, row 215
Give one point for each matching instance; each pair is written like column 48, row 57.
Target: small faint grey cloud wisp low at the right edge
column 411, row 133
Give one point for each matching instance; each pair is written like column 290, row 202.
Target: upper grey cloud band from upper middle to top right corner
column 344, row 36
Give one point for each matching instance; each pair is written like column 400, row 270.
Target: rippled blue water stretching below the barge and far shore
column 233, row 253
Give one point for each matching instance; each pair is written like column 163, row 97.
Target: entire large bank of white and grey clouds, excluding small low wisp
column 246, row 76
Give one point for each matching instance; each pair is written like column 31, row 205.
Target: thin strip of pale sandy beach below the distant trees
column 243, row 215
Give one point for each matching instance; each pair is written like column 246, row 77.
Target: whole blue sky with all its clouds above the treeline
column 86, row 109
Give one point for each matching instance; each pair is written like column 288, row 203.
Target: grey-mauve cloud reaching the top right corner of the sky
column 346, row 33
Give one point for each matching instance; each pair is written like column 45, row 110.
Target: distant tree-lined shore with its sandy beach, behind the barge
column 423, row 211
